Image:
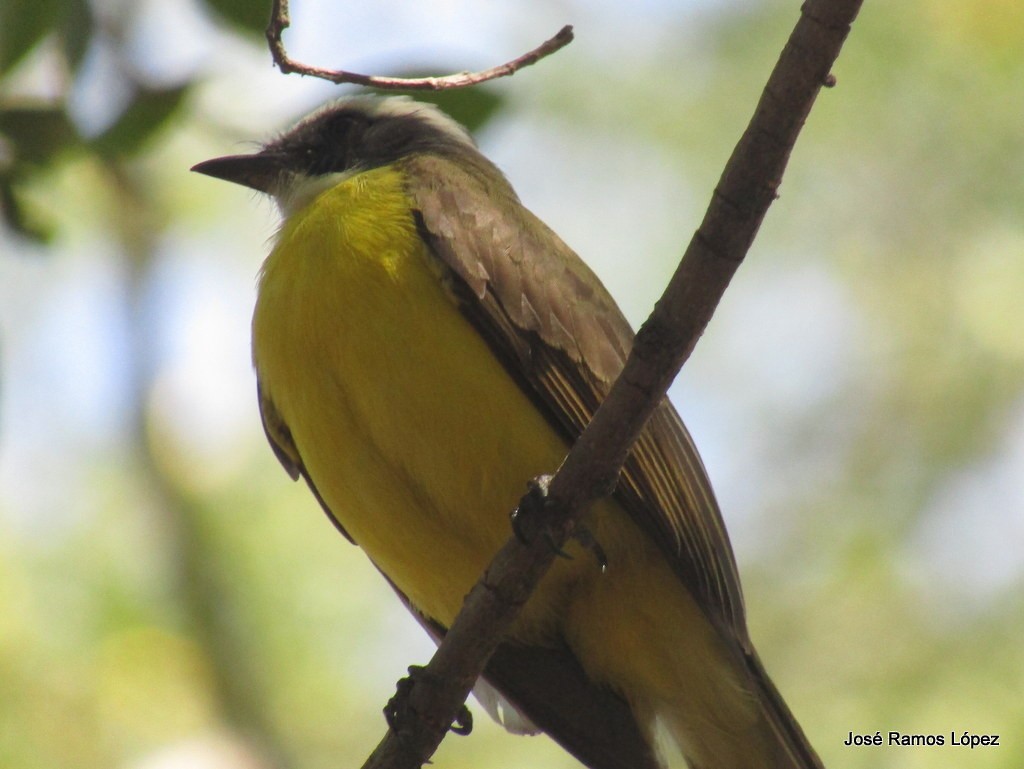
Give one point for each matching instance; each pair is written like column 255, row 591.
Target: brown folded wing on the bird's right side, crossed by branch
column 562, row 336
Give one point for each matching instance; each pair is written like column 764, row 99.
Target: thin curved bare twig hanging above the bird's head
column 280, row 22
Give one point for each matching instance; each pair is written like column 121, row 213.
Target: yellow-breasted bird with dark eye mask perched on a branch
column 424, row 346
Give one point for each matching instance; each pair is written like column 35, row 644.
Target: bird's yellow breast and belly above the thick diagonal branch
column 417, row 439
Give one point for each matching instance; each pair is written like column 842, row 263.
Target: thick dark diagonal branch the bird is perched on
column 739, row 205
